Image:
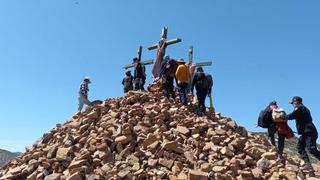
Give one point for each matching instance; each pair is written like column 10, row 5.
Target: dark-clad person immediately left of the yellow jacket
column 167, row 77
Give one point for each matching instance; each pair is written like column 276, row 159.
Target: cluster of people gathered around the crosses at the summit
column 173, row 71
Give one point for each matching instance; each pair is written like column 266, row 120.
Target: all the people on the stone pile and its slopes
column 272, row 117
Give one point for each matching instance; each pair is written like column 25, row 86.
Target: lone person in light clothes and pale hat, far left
column 83, row 94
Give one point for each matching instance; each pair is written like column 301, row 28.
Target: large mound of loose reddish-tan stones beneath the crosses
column 146, row 136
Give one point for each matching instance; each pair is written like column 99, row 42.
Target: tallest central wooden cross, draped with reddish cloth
column 161, row 50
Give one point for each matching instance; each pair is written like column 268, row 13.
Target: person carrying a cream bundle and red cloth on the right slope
column 281, row 127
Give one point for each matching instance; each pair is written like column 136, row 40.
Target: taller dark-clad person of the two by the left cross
column 139, row 76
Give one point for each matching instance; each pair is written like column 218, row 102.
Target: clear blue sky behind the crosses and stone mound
column 262, row 51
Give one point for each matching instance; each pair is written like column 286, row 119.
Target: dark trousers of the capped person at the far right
column 308, row 140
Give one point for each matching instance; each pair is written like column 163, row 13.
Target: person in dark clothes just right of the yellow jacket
column 203, row 83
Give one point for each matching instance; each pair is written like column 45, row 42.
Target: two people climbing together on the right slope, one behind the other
column 275, row 120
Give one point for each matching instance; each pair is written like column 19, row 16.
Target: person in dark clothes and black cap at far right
column 306, row 129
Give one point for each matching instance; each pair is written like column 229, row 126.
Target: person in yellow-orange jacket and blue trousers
column 182, row 77
